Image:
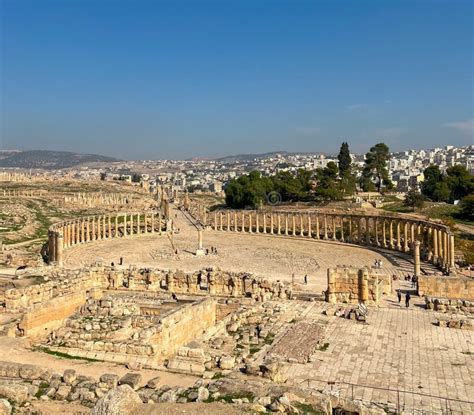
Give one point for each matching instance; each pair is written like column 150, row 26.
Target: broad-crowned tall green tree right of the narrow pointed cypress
column 376, row 167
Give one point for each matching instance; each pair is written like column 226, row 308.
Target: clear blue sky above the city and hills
column 155, row 79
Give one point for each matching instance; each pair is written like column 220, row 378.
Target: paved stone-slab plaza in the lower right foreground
column 398, row 349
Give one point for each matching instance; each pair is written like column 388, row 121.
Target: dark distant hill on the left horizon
column 43, row 159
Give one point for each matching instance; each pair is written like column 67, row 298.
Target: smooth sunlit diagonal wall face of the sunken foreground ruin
column 181, row 326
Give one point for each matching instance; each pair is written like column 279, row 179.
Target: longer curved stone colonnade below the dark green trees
column 430, row 241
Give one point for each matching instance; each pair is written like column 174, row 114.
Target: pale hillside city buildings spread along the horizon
column 405, row 168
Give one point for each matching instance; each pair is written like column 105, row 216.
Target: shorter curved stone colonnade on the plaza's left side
column 69, row 233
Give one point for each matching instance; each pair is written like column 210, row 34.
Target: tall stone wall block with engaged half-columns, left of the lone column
column 352, row 285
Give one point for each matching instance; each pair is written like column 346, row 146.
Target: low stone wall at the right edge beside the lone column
column 447, row 287
